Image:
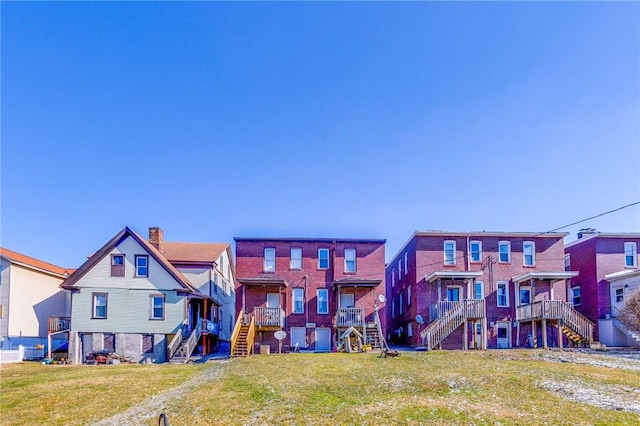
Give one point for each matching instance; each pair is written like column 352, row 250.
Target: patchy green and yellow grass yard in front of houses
column 441, row 387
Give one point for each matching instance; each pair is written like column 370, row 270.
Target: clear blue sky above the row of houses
column 215, row 120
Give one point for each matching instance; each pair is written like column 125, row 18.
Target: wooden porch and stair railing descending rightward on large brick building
column 557, row 310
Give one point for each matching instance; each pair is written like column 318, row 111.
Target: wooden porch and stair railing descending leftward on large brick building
column 448, row 317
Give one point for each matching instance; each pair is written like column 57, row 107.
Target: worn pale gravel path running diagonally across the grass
column 152, row 407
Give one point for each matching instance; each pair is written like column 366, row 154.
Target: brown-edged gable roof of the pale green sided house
column 69, row 283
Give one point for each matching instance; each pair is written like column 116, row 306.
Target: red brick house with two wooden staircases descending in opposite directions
column 481, row 289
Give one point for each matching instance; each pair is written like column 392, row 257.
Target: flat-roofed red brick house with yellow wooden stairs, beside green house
column 312, row 289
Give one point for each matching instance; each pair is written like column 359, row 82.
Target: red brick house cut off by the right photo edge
column 609, row 273
